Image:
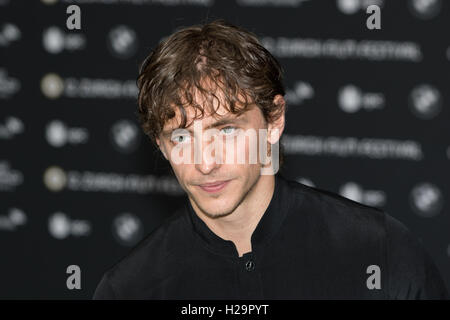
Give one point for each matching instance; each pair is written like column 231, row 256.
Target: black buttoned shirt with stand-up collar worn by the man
column 309, row 244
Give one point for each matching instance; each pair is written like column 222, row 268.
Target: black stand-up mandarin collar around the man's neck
column 266, row 228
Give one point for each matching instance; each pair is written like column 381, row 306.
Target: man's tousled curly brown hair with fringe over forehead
column 203, row 59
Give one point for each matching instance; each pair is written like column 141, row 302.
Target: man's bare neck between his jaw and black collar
column 239, row 225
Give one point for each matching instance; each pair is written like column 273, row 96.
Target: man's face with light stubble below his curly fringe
column 214, row 158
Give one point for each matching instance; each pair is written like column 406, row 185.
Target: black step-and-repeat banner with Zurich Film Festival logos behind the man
column 80, row 184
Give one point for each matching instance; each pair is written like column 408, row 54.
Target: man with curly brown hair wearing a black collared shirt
column 211, row 97
